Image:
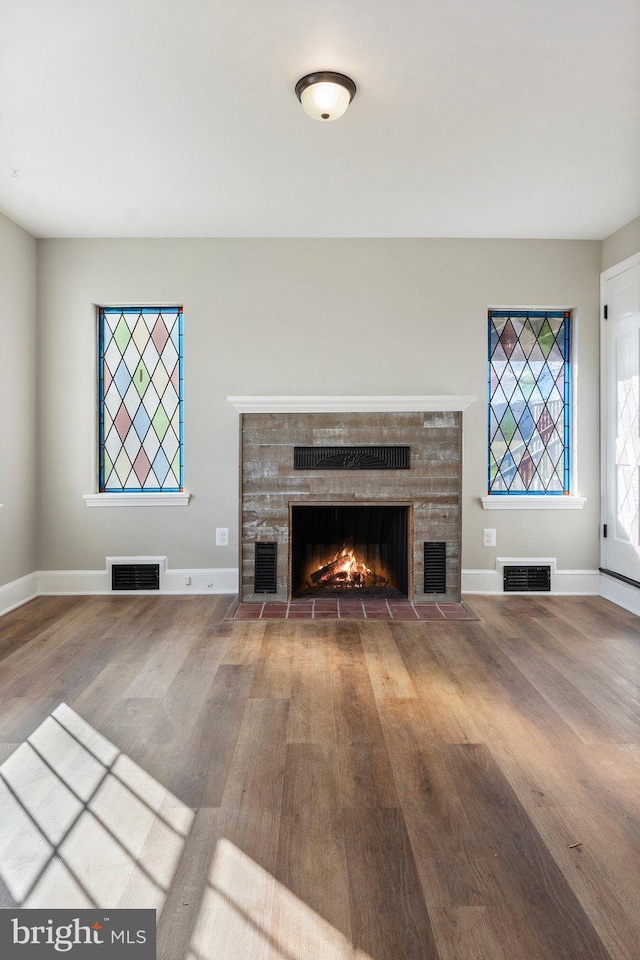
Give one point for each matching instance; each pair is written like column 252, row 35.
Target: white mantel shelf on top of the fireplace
column 384, row 404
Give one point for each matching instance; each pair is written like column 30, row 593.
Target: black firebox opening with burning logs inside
column 349, row 550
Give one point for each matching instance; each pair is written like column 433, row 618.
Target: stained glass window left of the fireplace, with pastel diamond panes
column 140, row 399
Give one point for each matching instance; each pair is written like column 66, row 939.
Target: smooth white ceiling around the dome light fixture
column 473, row 118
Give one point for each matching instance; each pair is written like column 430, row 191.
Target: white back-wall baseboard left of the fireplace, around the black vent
column 65, row 582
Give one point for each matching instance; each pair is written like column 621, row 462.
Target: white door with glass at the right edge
column 621, row 547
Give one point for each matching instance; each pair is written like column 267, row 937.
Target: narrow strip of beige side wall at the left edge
column 17, row 402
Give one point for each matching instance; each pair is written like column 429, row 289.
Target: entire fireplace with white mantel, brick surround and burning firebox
column 319, row 477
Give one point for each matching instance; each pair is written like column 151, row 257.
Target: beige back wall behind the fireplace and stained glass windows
column 300, row 317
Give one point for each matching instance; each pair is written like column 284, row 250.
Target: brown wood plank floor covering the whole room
column 295, row 790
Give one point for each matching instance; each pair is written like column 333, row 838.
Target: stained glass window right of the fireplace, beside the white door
column 529, row 401
